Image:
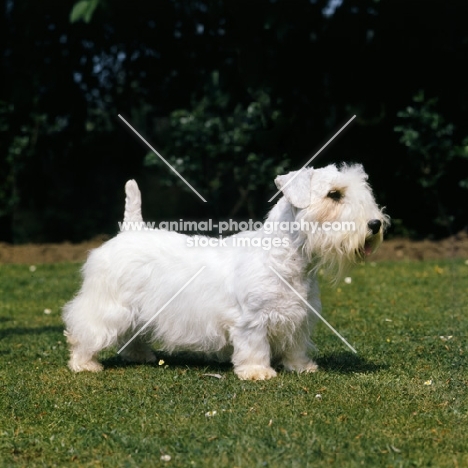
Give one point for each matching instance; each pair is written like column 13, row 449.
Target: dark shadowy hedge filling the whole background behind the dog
column 69, row 68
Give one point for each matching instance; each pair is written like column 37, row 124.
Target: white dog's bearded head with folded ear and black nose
column 345, row 223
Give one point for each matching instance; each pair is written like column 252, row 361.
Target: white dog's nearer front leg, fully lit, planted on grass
column 251, row 355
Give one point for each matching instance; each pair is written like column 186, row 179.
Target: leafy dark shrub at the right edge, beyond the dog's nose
column 437, row 165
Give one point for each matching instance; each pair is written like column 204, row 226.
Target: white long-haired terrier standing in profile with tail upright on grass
column 231, row 301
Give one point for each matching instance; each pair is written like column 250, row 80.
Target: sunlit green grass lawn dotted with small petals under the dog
column 402, row 401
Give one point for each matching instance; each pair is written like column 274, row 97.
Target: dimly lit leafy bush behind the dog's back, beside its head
column 225, row 147
